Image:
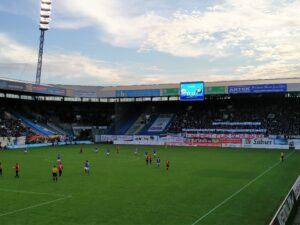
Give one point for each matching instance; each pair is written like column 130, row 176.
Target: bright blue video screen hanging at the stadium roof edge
column 192, row 91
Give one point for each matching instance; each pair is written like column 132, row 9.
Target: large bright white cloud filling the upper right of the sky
column 213, row 31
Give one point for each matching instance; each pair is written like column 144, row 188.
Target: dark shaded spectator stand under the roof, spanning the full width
column 262, row 114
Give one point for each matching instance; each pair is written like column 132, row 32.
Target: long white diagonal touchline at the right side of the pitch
column 238, row 191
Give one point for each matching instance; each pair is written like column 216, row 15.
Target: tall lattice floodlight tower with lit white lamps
column 44, row 26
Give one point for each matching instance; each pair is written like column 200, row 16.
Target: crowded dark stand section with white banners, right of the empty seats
column 276, row 116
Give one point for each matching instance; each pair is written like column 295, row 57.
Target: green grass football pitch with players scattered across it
column 204, row 186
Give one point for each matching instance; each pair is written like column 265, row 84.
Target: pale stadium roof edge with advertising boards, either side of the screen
column 293, row 84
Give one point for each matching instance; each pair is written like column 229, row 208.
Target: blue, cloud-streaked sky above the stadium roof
column 117, row 42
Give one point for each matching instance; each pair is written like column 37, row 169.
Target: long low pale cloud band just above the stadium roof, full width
column 19, row 62
